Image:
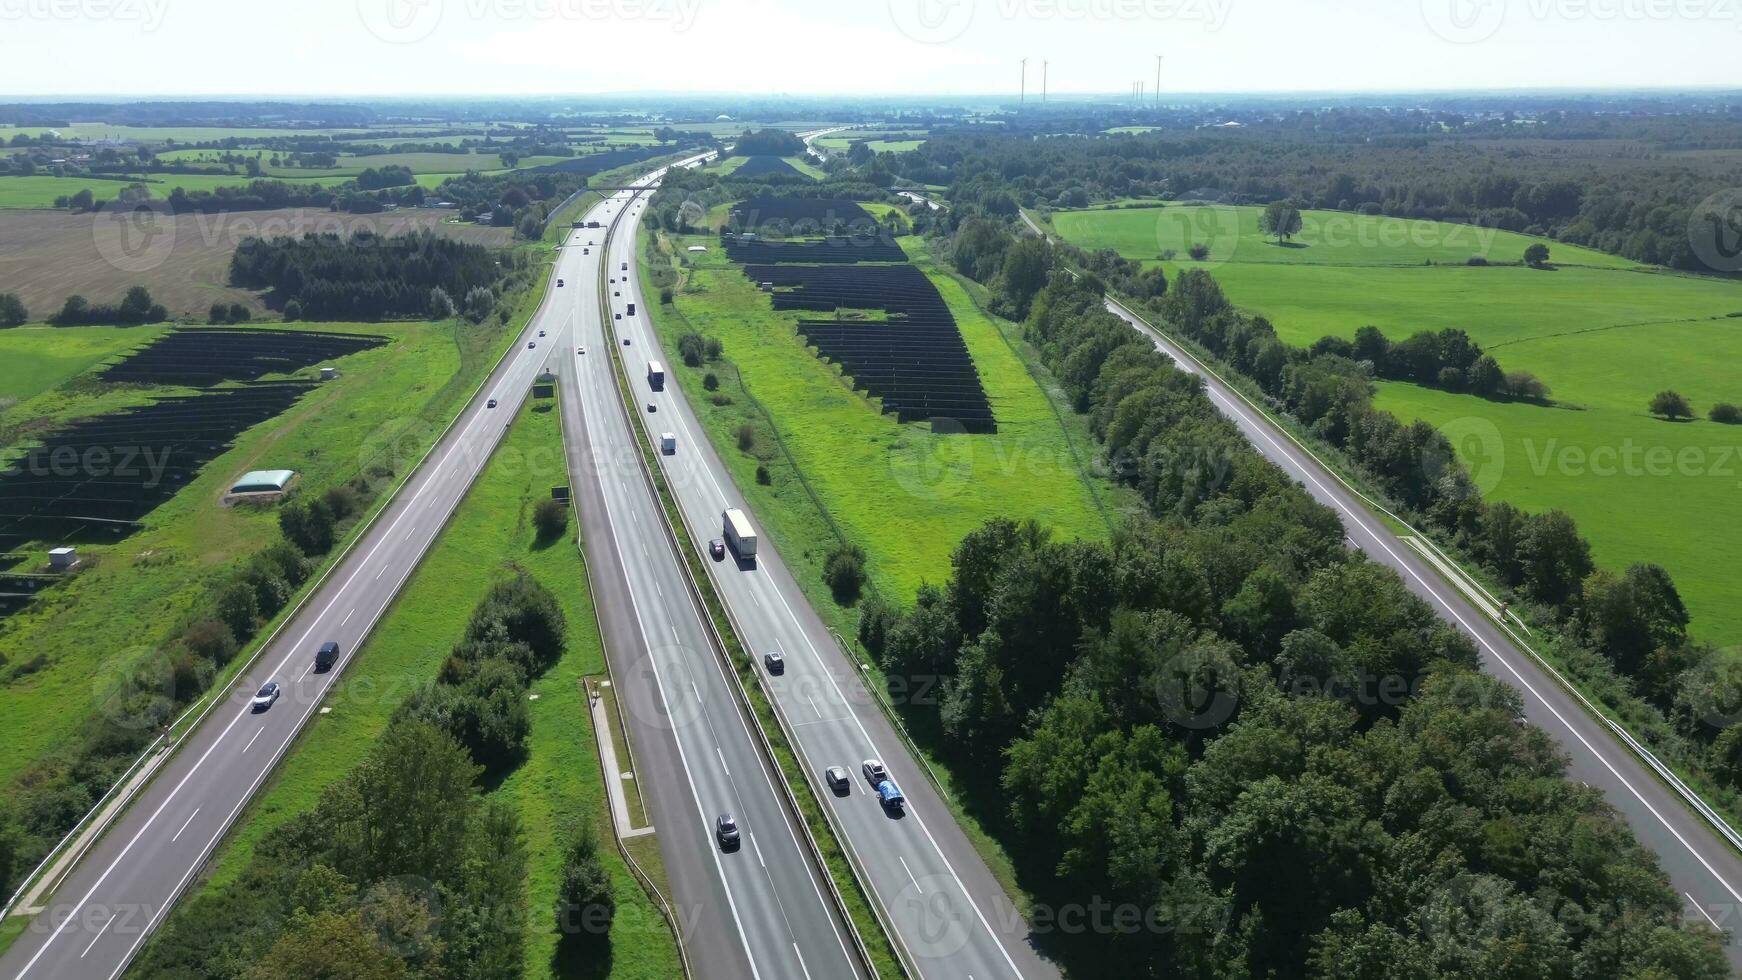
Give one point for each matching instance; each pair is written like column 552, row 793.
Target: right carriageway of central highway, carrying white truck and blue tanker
column 949, row 915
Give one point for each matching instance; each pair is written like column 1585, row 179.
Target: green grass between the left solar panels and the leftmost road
column 386, row 406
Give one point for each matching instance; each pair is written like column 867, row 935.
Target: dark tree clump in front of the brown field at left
column 368, row 276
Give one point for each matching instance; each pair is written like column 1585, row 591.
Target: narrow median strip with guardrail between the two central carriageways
column 692, row 587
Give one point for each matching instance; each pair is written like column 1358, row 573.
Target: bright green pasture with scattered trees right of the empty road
column 1602, row 332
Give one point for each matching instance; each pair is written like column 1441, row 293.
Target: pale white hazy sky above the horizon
column 827, row 48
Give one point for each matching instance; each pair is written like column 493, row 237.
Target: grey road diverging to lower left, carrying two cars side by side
column 97, row 920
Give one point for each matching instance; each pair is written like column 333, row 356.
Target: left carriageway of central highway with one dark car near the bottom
column 760, row 910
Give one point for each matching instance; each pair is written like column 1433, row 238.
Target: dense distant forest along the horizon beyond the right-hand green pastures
column 1623, row 185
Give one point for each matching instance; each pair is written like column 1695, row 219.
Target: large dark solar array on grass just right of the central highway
column 915, row 361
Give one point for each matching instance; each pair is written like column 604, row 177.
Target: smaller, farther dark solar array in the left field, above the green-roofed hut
column 208, row 356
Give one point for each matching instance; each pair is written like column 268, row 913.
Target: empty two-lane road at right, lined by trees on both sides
column 1703, row 868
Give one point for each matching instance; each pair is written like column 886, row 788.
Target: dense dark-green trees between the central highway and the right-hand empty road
column 1252, row 735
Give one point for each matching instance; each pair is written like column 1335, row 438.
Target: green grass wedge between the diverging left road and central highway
column 560, row 784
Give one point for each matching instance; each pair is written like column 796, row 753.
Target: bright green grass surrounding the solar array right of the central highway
column 900, row 492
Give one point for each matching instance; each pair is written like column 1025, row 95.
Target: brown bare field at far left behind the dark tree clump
column 184, row 260
